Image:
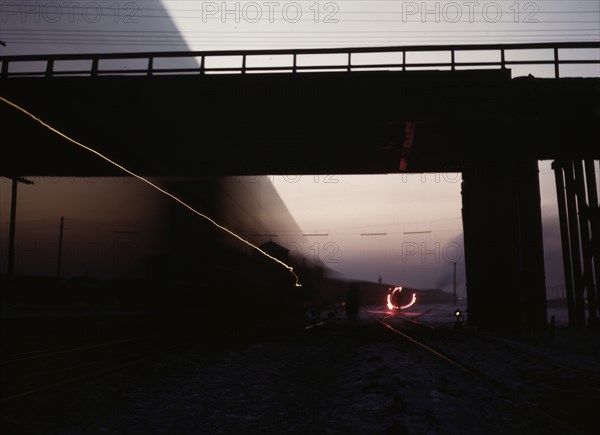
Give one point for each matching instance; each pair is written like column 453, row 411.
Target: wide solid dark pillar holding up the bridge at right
column 504, row 255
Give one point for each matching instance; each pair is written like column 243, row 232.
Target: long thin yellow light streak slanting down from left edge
column 154, row 186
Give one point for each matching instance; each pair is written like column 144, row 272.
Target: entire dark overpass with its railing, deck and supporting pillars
column 343, row 117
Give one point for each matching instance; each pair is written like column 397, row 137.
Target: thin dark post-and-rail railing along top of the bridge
column 401, row 58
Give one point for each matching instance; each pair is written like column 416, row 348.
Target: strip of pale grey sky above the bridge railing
column 32, row 26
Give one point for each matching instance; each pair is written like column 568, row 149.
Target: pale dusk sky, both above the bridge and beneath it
column 369, row 224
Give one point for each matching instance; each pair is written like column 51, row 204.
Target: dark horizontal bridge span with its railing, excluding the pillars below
column 315, row 122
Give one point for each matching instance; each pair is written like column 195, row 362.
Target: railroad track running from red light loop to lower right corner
column 530, row 378
